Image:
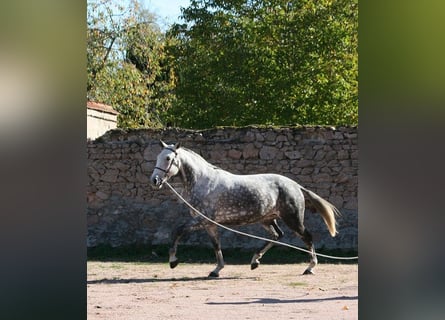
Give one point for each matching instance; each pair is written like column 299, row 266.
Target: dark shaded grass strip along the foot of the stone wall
column 199, row 254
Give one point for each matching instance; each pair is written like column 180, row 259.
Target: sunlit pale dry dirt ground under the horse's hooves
column 122, row 290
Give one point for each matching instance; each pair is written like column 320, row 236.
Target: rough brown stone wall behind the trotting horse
column 123, row 209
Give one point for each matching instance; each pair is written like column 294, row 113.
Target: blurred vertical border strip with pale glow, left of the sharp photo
column 42, row 167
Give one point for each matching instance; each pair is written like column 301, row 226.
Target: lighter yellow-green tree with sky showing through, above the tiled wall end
column 127, row 63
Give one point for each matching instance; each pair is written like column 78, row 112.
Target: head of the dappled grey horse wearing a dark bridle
column 167, row 164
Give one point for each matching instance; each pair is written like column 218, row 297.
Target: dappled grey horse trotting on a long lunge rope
column 235, row 200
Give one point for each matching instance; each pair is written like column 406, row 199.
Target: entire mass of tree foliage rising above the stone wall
column 233, row 62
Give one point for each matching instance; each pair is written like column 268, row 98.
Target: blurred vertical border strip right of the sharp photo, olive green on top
column 401, row 156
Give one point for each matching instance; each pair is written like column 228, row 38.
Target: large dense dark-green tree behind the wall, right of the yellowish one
column 276, row 62
